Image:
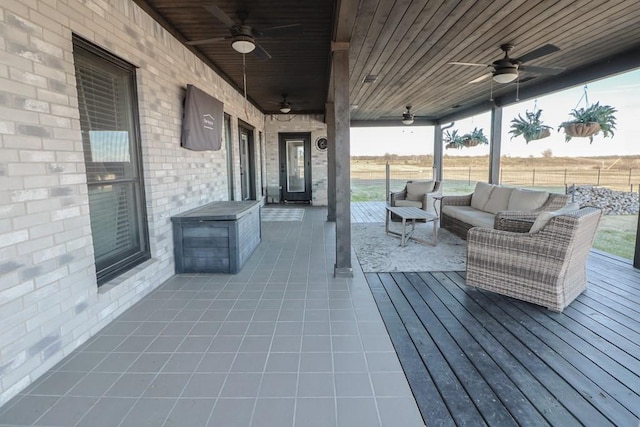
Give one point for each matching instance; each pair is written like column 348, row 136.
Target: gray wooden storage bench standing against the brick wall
column 216, row 238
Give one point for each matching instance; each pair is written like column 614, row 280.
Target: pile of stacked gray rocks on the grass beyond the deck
column 611, row 202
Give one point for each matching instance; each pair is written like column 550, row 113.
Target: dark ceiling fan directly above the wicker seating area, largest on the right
column 507, row 69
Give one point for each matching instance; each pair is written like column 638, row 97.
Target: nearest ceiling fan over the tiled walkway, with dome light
column 243, row 37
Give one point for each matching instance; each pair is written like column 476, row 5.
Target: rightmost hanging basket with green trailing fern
column 589, row 121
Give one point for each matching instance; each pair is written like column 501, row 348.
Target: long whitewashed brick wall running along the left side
column 49, row 300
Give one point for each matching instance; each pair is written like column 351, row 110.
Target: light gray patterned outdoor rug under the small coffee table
column 378, row 252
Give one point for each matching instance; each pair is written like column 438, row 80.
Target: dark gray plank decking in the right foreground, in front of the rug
column 475, row 357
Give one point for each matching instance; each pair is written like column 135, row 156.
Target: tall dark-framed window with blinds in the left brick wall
column 110, row 137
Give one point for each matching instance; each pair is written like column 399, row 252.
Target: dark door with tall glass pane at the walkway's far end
column 295, row 167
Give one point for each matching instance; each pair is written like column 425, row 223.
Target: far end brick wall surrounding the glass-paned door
column 314, row 124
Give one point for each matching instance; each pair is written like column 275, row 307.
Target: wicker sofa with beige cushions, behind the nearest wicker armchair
column 499, row 207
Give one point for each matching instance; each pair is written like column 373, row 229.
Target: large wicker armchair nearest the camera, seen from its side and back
column 545, row 267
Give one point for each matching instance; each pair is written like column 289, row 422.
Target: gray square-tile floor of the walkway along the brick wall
column 282, row 343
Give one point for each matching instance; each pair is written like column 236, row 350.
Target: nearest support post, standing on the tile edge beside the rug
column 340, row 66
